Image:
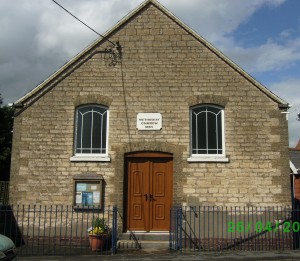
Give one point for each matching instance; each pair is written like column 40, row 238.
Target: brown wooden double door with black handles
column 150, row 186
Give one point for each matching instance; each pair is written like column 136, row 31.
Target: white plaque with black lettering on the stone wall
column 149, row 121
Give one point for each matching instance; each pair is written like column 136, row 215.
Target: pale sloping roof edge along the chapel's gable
column 38, row 91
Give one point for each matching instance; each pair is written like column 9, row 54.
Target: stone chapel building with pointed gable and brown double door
column 151, row 116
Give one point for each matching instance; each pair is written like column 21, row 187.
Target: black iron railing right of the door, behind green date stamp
column 234, row 228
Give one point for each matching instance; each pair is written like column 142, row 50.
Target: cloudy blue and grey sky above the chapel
column 261, row 36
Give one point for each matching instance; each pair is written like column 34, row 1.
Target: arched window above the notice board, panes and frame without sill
column 91, row 134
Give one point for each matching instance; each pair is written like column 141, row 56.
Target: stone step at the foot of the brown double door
column 146, row 241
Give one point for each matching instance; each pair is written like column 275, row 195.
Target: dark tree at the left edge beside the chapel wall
column 6, row 126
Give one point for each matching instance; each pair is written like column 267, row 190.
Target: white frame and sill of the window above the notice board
column 104, row 157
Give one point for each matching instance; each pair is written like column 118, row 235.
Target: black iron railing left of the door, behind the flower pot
column 56, row 230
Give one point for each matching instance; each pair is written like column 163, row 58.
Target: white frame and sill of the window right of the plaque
column 208, row 157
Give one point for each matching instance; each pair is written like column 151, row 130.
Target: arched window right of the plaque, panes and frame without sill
column 207, row 130
